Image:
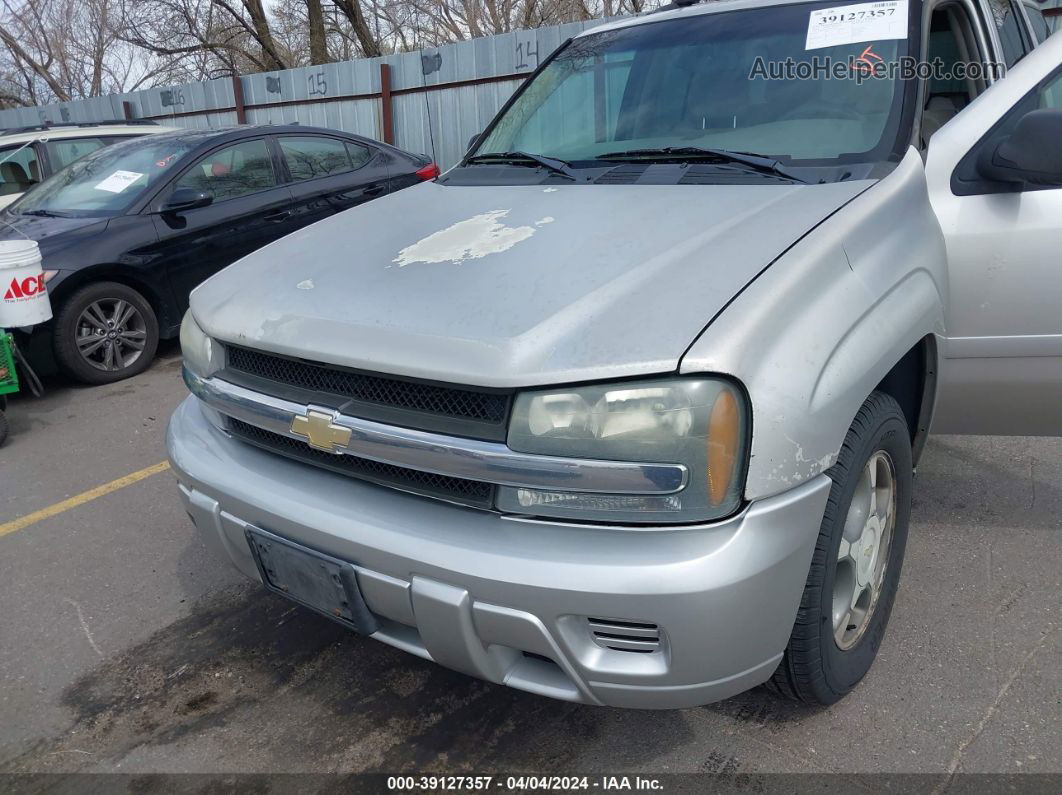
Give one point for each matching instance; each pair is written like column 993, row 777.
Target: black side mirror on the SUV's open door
column 1031, row 154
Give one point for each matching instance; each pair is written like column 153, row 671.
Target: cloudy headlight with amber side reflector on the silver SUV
column 701, row 423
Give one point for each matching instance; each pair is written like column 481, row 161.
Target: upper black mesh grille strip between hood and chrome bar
column 460, row 404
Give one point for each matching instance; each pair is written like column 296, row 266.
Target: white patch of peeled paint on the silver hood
column 471, row 239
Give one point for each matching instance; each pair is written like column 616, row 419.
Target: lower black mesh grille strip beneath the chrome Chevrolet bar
column 457, row 490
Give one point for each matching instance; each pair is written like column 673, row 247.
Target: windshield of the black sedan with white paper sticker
column 107, row 182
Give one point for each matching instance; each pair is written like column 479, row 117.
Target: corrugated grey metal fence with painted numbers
column 460, row 88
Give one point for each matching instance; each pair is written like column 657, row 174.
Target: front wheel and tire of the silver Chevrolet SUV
column 831, row 651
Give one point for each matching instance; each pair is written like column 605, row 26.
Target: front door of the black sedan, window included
column 250, row 210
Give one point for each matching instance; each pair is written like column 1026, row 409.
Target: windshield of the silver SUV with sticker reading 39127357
column 721, row 81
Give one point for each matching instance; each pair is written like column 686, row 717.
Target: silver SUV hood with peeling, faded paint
column 512, row 286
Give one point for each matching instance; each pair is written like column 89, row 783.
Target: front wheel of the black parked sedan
column 82, row 337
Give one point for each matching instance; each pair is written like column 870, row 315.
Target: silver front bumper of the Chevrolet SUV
column 509, row 600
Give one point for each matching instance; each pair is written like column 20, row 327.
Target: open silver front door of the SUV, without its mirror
column 1002, row 371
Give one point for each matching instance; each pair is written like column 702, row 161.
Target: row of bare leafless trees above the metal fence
column 61, row 50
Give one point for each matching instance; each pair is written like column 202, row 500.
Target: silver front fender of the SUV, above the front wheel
column 814, row 336
